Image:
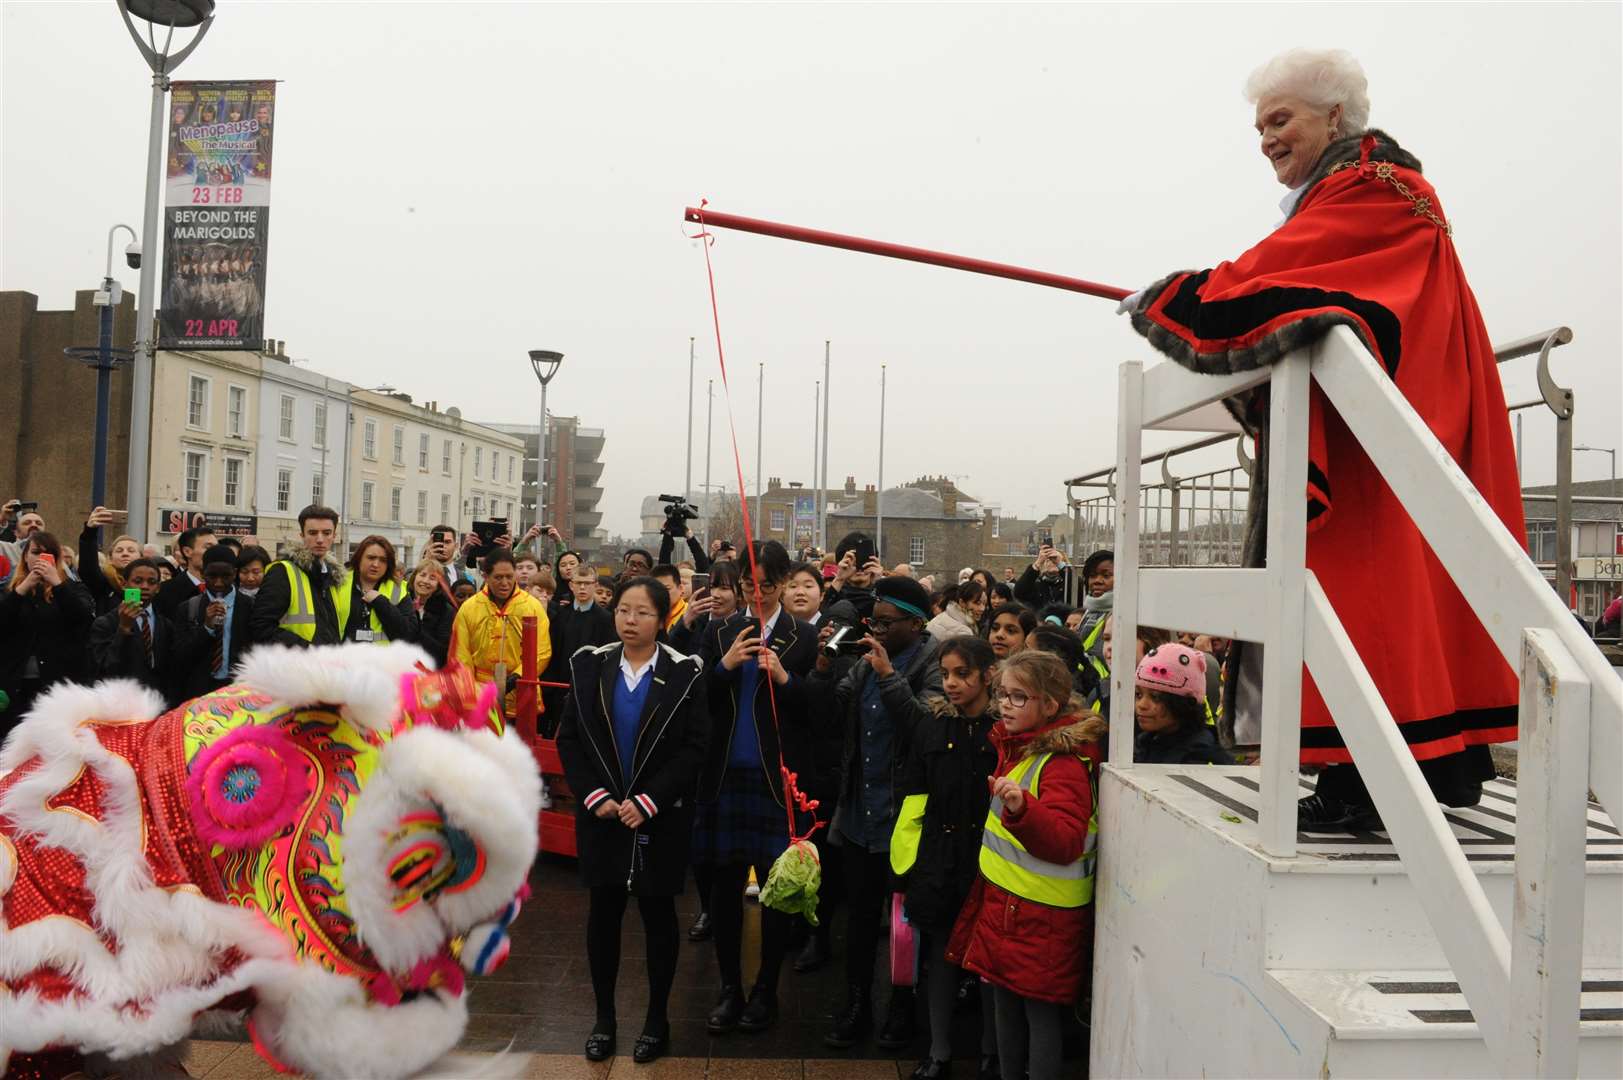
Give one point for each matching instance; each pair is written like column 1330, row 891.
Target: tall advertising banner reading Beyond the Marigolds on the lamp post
column 217, row 215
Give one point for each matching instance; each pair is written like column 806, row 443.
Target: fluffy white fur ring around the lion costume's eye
column 489, row 787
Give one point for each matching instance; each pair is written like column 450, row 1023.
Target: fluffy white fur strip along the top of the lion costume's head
column 359, row 678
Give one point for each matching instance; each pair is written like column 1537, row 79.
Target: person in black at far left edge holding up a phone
column 45, row 620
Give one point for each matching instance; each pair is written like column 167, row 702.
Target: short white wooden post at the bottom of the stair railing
column 1548, row 943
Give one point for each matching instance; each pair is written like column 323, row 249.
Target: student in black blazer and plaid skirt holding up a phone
column 757, row 663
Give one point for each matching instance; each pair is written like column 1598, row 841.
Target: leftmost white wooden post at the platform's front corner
column 1124, row 616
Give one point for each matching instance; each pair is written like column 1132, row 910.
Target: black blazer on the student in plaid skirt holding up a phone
column 796, row 647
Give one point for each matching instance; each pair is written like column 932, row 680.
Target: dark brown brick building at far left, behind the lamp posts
column 48, row 408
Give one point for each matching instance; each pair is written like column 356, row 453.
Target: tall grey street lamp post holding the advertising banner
column 168, row 15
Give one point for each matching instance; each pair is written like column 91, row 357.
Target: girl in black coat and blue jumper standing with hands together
column 632, row 746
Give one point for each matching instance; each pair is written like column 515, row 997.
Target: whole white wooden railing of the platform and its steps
column 1523, row 987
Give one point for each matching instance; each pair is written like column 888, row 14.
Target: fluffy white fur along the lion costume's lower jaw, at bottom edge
column 327, row 1026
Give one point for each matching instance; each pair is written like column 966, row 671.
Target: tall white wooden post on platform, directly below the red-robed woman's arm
column 1288, row 521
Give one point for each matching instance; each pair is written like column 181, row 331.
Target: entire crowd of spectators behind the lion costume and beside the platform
column 678, row 693
